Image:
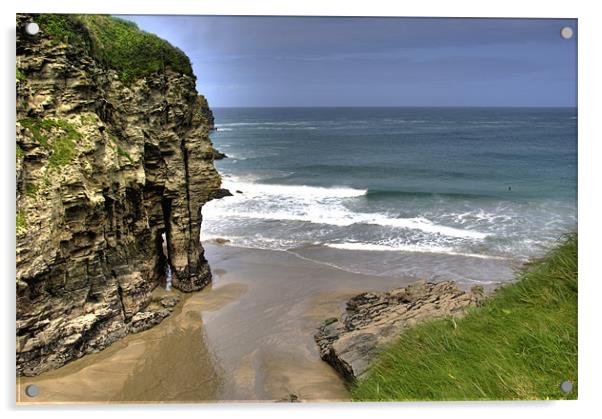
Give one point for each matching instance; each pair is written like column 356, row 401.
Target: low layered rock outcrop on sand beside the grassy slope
column 372, row 320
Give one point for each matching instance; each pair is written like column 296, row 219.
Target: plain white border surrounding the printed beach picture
column 590, row 34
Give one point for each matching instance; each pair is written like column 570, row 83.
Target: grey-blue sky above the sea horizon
column 244, row 61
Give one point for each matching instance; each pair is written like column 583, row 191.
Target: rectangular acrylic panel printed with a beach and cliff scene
column 295, row 209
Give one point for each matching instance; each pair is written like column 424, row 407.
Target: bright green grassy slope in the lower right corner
column 520, row 345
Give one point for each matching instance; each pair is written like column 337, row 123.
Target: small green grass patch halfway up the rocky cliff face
column 55, row 135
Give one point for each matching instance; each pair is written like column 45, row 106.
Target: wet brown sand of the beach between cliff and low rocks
column 246, row 337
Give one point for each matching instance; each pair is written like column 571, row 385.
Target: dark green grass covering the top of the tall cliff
column 118, row 43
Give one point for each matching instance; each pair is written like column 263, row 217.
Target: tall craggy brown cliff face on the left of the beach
column 106, row 165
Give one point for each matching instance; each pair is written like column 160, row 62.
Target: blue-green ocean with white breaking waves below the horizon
column 464, row 193
